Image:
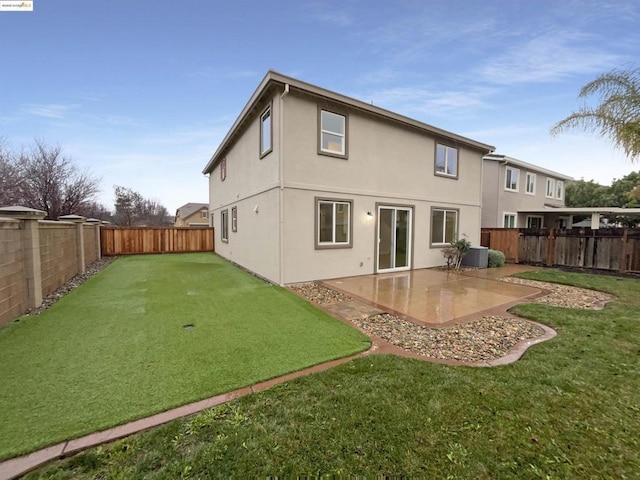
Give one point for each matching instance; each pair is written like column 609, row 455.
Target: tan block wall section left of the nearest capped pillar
column 12, row 282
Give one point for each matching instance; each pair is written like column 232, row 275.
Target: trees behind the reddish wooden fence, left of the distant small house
column 133, row 209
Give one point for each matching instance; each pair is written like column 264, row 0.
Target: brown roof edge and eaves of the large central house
column 273, row 78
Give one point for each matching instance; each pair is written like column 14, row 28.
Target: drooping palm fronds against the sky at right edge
column 617, row 116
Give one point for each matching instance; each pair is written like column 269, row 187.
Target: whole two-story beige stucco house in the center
column 310, row 184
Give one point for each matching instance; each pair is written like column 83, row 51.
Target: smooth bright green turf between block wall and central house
column 115, row 349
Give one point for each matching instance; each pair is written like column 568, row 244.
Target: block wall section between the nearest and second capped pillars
column 58, row 254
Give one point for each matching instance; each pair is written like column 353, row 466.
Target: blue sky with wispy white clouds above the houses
column 141, row 92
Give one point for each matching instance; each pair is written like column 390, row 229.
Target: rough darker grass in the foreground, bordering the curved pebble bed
column 569, row 409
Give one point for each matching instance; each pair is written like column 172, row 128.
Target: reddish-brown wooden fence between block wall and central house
column 132, row 240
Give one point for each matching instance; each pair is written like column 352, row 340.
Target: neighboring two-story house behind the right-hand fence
column 513, row 193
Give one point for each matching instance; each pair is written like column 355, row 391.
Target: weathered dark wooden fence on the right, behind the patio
column 614, row 249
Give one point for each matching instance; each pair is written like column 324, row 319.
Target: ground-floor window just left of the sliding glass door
column 333, row 223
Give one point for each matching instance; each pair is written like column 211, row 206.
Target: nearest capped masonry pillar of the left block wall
column 31, row 250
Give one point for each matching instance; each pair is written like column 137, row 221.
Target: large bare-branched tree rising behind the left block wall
column 45, row 179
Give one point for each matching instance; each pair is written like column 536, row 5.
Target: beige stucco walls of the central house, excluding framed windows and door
column 386, row 164
